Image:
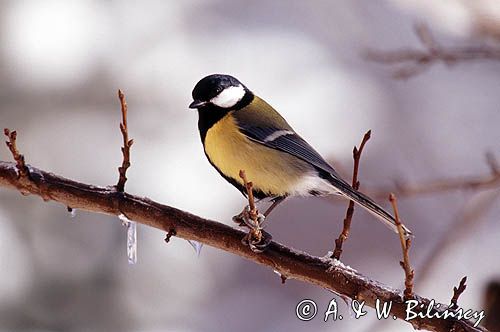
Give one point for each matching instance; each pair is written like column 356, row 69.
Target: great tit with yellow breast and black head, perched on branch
column 240, row 131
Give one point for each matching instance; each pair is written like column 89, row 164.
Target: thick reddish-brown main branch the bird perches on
column 322, row 272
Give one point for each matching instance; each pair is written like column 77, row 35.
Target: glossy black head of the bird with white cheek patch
column 220, row 91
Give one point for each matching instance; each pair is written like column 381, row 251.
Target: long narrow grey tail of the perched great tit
column 367, row 203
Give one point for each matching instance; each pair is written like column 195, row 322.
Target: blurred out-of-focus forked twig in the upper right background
column 414, row 61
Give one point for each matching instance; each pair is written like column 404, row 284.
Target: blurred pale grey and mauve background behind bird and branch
column 61, row 63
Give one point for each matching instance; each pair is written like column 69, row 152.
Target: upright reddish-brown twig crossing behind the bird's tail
column 344, row 235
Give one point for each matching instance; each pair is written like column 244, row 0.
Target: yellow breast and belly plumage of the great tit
column 273, row 172
